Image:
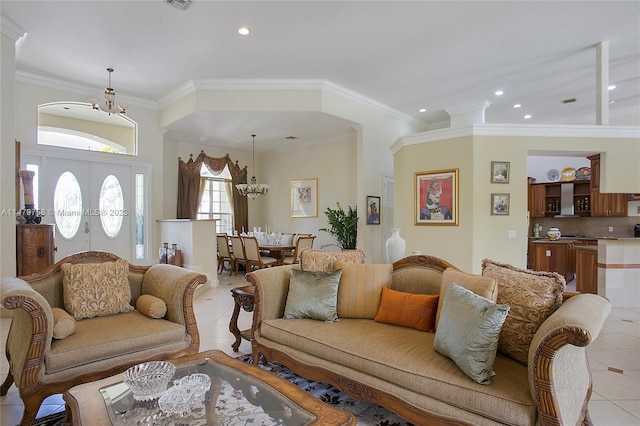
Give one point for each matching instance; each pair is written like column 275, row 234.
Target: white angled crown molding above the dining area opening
column 284, row 84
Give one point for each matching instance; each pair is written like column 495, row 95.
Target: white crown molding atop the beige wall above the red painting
column 532, row 130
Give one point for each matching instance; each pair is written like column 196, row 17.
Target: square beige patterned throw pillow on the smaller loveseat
column 95, row 290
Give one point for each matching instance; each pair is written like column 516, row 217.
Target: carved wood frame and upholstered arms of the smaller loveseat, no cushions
column 31, row 335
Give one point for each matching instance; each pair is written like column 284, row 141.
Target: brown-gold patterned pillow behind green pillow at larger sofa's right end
column 532, row 295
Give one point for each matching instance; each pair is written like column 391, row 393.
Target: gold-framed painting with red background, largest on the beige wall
column 436, row 197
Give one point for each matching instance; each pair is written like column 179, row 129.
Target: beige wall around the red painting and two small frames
column 479, row 234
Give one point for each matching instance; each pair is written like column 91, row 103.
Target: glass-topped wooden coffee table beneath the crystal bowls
column 240, row 393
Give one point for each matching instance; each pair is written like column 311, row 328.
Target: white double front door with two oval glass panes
column 92, row 204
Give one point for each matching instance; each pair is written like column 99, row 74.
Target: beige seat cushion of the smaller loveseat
column 102, row 338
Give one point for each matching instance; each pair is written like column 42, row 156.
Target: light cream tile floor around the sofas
column 615, row 400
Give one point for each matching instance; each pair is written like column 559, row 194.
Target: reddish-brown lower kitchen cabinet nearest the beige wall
column 554, row 257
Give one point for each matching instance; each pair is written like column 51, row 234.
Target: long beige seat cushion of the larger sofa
column 380, row 354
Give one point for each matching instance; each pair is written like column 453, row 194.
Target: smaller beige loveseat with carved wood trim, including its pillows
column 49, row 350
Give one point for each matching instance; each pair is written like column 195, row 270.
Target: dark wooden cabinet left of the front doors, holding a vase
column 34, row 248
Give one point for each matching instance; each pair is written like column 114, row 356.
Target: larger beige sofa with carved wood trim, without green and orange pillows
column 397, row 367
